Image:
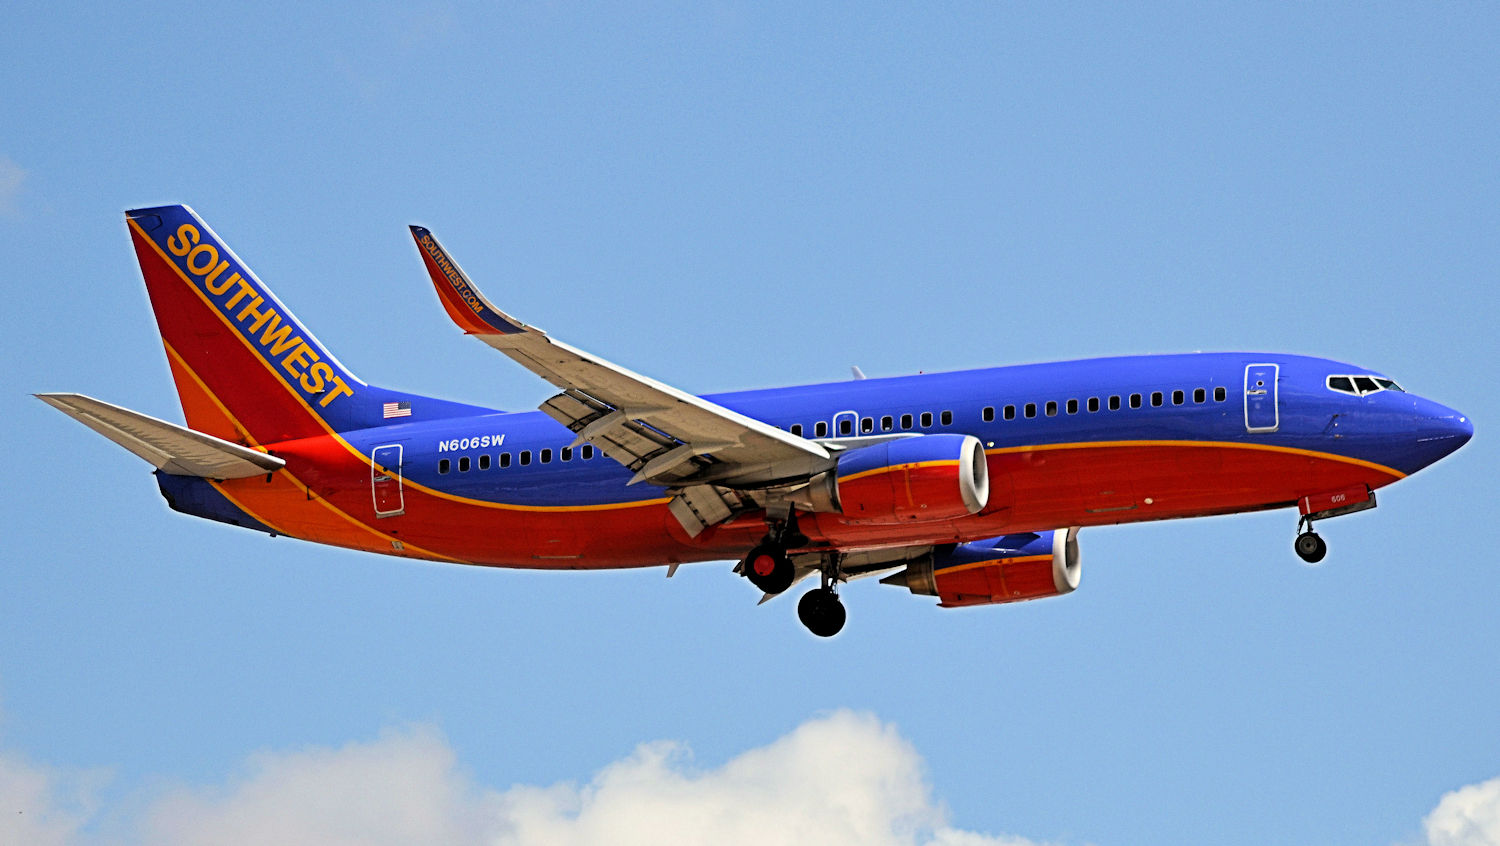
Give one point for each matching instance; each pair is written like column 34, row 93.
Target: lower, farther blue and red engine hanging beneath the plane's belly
column 1013, row 568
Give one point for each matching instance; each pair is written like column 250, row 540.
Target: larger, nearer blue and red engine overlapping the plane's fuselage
column 932, row 478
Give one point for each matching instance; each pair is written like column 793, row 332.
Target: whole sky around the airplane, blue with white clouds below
column 739, row 196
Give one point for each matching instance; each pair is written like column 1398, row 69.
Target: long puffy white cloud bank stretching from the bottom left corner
column 839, row 781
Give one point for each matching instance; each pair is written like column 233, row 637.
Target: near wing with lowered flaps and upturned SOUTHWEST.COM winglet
column 668, row 437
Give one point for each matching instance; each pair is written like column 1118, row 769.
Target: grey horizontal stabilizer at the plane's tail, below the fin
column 166, row 446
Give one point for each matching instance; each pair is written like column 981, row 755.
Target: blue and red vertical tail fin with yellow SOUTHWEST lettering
column 247, row 370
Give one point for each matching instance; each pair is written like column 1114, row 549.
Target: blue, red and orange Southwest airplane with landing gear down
column 968, row 487
